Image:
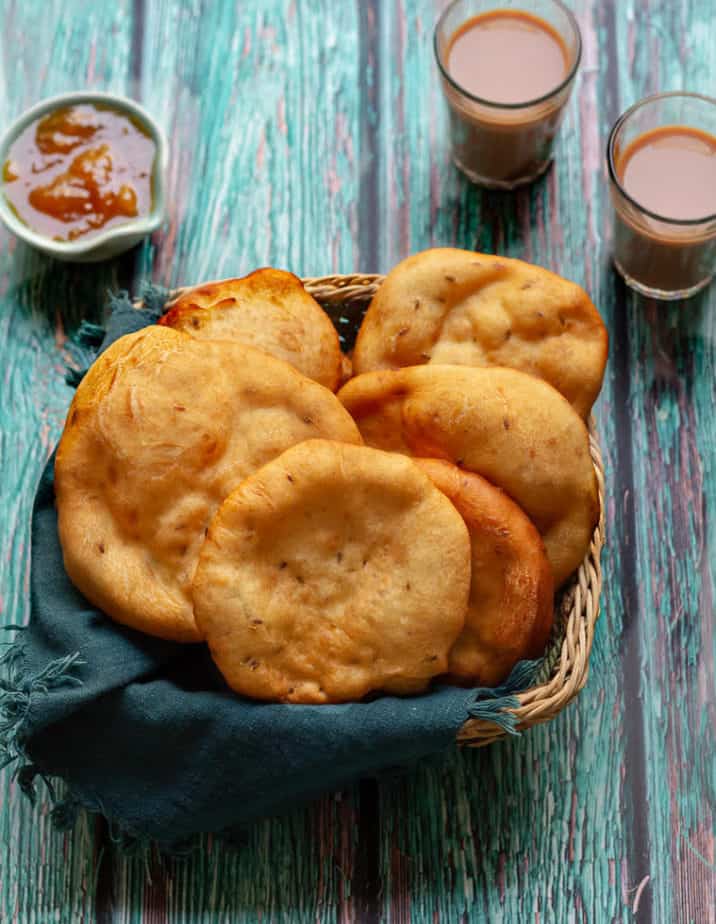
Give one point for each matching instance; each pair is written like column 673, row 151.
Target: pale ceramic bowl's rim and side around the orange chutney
column 114, row 240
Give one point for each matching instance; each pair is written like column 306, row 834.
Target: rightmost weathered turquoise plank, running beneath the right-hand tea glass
column 670, row 408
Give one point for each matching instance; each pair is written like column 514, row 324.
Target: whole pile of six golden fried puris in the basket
column 212, row 486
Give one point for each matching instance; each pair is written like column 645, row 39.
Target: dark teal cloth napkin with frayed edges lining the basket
column 147, row 733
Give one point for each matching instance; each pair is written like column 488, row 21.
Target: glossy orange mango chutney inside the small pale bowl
column 78, row 170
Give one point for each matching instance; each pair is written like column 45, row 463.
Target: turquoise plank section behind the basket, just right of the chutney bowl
column 258, row 100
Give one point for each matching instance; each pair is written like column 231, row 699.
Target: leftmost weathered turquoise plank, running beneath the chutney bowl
column 46, row 48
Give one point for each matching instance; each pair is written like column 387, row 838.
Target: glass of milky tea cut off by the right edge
column 662, row 171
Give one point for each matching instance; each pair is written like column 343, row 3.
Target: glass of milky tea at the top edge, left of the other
column 506, row 73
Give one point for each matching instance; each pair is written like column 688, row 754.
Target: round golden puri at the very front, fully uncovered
column 333, row 571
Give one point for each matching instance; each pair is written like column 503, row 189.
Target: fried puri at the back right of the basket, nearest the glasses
column 458, row 307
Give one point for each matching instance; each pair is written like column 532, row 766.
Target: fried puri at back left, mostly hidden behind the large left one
column 268, row 309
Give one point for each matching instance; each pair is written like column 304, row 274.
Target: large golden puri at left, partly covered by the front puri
column 161, row 429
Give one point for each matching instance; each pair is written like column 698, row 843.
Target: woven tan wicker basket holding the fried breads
column 345, row 299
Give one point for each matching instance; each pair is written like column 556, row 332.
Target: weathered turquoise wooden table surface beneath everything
column 310, row 134
